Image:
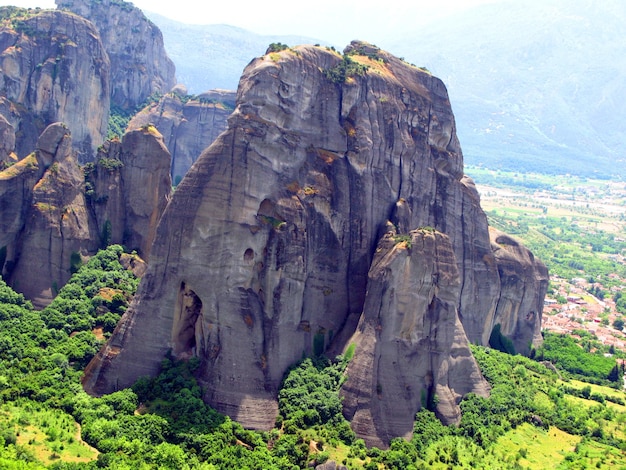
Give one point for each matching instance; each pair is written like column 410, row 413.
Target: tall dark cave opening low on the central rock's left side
column 187, row 328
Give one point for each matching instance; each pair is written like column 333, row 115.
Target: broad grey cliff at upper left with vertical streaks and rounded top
column 53, row 68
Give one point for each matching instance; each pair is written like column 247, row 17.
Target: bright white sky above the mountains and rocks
column 337, row 21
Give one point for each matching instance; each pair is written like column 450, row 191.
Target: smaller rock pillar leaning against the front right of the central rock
column 410, row 344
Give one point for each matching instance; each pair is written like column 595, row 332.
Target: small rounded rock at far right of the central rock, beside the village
column 524, row 283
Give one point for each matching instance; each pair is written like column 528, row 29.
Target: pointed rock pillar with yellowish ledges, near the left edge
column 56, row 229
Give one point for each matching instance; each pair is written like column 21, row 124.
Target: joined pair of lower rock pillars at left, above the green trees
column 48, row 222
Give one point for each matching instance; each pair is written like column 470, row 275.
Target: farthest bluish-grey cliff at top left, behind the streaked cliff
column 139, row 63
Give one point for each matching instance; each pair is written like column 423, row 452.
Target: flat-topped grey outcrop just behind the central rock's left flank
column 189, row 124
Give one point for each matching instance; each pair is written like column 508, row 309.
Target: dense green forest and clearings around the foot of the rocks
column 46, row 420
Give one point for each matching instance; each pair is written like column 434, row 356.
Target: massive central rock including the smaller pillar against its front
column 268, row 248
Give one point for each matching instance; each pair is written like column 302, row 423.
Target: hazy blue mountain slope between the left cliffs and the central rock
column 213, row 56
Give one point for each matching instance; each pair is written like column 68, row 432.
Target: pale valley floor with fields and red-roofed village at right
column 577, row 226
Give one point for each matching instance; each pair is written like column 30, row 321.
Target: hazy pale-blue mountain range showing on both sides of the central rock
column 535, row 86
